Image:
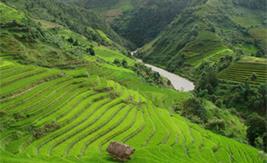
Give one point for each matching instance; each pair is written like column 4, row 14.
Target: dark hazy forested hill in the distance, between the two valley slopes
column 139, row 21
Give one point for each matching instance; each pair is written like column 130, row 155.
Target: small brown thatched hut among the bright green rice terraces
column 119, row 151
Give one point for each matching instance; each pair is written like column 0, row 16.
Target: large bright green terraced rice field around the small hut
column 90, row 113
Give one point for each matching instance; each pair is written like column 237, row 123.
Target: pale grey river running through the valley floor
column 178, row 82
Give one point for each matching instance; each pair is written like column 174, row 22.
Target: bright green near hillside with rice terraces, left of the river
column 64, row 97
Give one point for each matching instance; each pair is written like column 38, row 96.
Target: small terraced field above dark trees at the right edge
column 242, row 71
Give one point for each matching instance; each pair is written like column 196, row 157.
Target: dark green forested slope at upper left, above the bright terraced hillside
column 75, row 17
